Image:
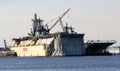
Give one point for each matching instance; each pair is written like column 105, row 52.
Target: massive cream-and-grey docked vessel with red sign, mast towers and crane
column 40, row 42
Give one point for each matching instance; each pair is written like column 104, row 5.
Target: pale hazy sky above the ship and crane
column 97, row 19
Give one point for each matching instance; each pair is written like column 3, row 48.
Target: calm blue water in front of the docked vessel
column 82, row 63
